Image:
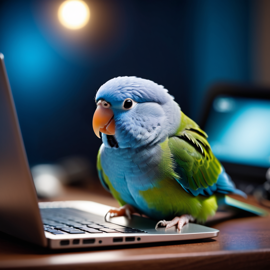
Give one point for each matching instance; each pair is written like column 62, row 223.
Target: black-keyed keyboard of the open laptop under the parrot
column 72, row 221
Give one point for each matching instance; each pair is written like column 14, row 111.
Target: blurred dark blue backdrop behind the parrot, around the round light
column 54, row 72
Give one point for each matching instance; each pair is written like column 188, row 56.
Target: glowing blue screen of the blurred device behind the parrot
column 239, row 130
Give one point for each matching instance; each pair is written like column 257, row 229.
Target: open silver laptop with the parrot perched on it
column 69, row 224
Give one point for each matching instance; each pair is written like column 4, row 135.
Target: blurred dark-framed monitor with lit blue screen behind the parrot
column 237, row 121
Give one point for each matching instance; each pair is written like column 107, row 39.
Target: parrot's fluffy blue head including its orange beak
column 134, row 112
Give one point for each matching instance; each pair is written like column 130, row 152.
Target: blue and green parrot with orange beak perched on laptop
column 154, row 159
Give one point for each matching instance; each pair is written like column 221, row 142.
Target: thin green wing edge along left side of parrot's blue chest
column 105, row 181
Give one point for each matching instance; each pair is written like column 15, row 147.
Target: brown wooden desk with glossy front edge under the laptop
column 243, row 243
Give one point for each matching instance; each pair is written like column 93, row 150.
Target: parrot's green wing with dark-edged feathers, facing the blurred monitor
column 195, row 163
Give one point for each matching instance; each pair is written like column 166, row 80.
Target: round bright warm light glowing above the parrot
column 73, row 14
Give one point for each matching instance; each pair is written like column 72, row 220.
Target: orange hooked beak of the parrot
column 103, row 121
